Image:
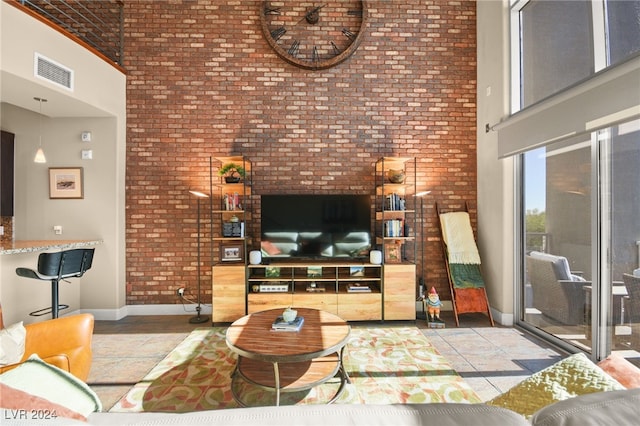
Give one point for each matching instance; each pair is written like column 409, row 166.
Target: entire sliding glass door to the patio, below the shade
column 581, row 205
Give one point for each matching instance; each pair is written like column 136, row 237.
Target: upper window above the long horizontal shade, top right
column 564, row 42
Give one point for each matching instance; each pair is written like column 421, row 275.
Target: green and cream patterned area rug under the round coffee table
column 387, row 365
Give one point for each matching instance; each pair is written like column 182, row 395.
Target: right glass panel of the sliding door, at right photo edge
column 620, row 189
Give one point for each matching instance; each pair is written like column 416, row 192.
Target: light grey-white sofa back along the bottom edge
column 602, row 408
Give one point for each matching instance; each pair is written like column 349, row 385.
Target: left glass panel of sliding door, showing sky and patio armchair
column 557, row 199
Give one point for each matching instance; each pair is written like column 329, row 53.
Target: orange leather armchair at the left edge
column 64, row 342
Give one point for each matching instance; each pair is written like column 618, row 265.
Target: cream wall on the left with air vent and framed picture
column 97, row 104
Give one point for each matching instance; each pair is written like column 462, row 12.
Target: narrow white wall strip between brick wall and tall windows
column 495, row 177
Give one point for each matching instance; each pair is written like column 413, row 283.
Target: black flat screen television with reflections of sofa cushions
column 302, row 226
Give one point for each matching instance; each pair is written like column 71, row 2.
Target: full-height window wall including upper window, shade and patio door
column 575, row 126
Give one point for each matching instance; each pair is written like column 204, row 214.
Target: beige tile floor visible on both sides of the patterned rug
column 491, row 359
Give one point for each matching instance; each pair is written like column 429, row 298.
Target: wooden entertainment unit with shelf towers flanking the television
column 334, row 286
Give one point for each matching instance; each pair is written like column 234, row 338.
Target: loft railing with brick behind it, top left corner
column 99, row 23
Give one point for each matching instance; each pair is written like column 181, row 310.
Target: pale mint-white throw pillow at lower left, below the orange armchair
column 43, row 380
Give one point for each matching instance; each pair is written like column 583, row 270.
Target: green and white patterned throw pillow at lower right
column 570, row 377
